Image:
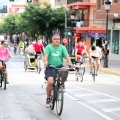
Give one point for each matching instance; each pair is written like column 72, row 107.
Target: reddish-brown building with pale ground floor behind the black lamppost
column 113, row 26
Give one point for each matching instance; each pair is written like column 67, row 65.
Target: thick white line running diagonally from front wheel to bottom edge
column 89, row 107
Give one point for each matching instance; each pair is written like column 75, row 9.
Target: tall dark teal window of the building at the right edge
column 115, row 42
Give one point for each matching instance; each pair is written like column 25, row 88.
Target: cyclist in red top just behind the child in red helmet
column 79, row 49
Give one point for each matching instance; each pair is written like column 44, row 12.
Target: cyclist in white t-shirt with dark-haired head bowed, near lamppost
column 95, row 51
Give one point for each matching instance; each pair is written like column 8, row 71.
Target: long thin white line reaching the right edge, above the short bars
column 96, row 92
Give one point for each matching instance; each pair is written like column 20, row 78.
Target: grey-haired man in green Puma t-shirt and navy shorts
column 53, row 55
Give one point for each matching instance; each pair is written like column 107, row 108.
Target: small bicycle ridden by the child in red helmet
column 80, row 72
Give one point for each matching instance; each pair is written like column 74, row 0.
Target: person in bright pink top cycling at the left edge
column 4, row 54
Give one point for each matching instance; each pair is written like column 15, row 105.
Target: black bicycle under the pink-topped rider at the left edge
column 3, row 75
